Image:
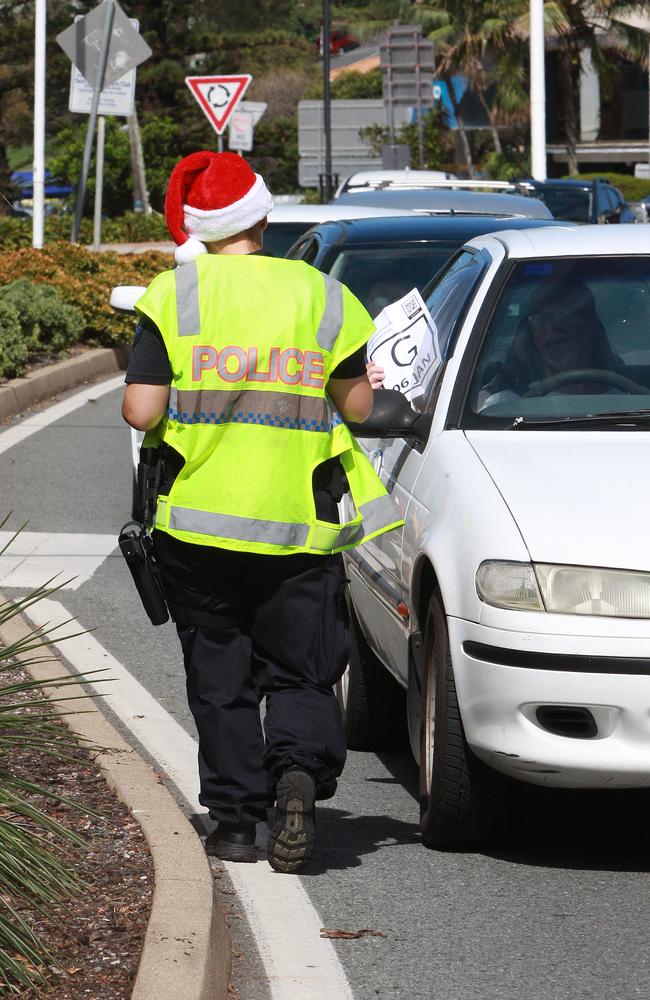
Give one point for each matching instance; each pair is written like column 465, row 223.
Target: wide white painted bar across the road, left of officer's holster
column 34, row 557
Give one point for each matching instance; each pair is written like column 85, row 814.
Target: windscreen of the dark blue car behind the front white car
column 381, row 275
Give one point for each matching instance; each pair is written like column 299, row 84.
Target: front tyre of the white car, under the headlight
column 464, row 804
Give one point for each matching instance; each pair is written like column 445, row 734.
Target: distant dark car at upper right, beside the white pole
column 592, row 200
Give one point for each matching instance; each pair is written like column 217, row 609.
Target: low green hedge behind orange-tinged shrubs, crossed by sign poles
column 132, row 227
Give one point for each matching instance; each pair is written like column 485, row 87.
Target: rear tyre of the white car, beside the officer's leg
column 372, row 703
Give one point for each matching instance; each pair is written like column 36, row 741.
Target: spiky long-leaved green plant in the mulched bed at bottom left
column 35, row 867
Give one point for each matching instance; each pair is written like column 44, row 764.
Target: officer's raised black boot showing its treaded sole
column 291, row 838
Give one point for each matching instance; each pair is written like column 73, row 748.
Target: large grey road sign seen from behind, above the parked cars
column 349, row 152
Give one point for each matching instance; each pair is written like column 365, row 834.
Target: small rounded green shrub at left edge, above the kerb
column 47, row 322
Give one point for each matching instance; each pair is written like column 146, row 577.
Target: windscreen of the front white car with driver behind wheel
column 567, row 339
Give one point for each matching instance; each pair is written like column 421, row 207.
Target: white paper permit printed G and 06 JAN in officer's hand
column 405, row 344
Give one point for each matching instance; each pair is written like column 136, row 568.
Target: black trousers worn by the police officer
column 254, row 627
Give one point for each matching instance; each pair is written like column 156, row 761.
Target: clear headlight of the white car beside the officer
column 566, row 590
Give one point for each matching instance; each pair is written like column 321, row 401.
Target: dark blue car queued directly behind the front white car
column 382, row 259
